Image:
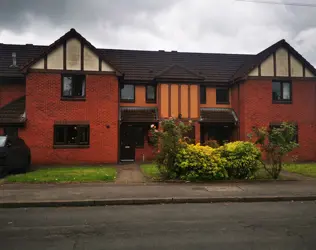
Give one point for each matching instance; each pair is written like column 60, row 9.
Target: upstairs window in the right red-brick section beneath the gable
column 281, row 92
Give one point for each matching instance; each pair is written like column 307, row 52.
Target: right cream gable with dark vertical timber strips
column 282, row 63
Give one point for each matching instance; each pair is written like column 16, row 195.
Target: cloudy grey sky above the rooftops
column 218, row 26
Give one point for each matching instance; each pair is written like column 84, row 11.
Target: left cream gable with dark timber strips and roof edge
column 71, row 52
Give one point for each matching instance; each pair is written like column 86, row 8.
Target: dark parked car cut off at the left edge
column 15, row 155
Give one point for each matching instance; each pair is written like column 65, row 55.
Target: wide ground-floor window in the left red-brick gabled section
column 75, row 135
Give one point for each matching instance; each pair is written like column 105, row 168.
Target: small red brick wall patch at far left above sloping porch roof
column 10, row 91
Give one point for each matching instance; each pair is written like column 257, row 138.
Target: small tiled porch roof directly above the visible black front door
column 138, row 114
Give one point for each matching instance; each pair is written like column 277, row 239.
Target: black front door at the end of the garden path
column 127, row 150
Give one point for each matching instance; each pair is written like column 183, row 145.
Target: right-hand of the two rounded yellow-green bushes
column 242, row 159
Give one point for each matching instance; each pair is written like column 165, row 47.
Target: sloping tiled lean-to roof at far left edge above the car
column 13, row 112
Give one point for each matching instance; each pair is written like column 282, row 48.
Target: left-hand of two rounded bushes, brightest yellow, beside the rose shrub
column 195, row 162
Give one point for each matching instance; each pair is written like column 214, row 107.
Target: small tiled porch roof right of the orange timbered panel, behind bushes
column 218, row 115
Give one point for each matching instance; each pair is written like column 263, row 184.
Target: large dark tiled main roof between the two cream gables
column 146, row 65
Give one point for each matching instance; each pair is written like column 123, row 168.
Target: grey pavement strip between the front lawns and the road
column 99, row 194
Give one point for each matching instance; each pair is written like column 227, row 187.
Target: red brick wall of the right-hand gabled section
column 256, row 109
